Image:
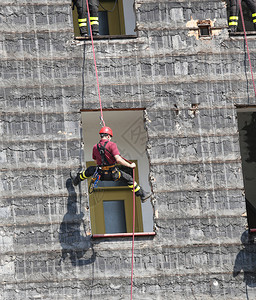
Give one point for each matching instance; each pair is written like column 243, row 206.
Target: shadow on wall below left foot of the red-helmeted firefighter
column 72, row 234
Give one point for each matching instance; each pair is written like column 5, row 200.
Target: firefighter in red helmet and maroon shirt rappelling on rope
column 106, row 155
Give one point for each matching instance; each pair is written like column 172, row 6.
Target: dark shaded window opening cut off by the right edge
column 247, row 139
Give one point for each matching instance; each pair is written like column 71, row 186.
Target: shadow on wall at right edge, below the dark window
column 246, row 261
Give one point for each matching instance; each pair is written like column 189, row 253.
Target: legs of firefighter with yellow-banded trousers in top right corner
column 234, row 10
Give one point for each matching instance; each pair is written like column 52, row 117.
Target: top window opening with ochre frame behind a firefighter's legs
column 116, row 18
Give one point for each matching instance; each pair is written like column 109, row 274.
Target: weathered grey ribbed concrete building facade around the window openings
column 196, row 176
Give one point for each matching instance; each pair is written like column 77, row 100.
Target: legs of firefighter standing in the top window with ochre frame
column 82, row 16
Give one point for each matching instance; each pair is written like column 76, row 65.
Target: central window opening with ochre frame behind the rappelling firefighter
column 130, row 136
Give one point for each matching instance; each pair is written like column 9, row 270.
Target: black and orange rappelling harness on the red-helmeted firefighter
column 106, row 171
